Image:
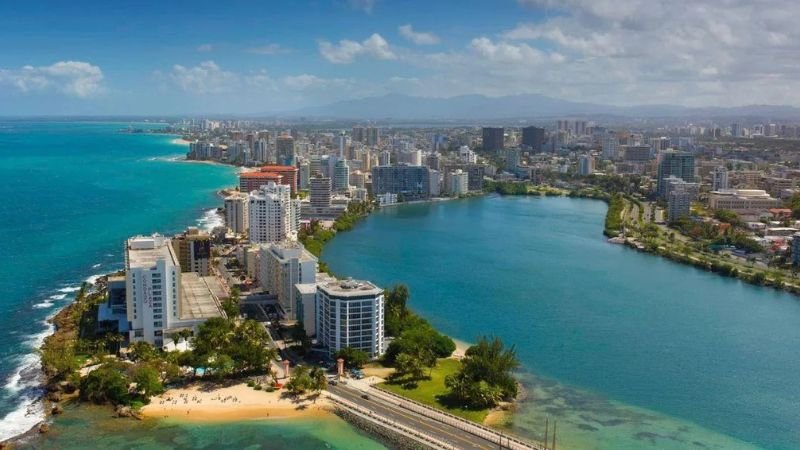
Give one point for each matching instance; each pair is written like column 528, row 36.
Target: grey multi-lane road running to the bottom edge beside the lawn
column 441, row 431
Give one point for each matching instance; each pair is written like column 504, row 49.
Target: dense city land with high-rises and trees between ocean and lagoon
column 253, row 299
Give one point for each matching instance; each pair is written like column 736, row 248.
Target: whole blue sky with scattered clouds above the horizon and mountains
column 102, row 57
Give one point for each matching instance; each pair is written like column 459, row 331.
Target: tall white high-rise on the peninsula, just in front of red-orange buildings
column 274, row 216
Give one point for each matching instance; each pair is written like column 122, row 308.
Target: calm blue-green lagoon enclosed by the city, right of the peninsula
column 625, row 350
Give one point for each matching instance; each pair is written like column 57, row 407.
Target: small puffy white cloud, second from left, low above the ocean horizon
column 204, row 78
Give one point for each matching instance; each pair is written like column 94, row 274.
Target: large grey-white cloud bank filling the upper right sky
column 692, row 52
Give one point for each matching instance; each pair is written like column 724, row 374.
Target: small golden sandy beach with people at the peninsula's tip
column 204, row 402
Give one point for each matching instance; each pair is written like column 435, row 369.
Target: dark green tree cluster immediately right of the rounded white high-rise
column 417, row 345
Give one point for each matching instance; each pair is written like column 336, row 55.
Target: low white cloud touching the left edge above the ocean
column 73, row 78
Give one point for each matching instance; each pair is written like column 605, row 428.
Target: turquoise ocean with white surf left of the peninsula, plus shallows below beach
column 72, row 193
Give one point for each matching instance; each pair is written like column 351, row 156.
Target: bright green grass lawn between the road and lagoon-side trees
column 433, row 392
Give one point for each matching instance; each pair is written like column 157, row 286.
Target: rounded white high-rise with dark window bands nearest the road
column 350, row 313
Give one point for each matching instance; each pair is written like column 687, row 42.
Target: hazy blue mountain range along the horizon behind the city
column 528, row 106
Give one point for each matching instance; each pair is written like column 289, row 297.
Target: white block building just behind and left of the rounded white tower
column 282, row 265
